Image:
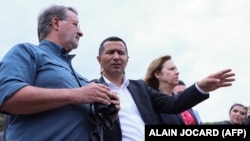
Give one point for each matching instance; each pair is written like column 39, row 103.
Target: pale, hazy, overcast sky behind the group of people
column 202, row 36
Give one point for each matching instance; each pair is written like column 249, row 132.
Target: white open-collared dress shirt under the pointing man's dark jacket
column 132, row 125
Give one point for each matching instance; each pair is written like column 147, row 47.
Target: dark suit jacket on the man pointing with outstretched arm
column 150, row 101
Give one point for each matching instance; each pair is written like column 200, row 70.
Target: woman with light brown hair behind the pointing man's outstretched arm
column 162, row 75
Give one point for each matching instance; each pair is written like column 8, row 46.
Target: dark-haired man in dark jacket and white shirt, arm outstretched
column 138, row 101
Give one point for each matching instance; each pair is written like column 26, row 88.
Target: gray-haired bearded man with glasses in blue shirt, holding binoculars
column 44, row 97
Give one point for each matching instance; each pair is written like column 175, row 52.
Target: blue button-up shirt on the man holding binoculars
column 49, row 66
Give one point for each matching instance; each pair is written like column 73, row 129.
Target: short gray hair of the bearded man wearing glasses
column 46, row 16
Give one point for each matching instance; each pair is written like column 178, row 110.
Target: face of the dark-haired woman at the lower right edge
column 237, row 115
